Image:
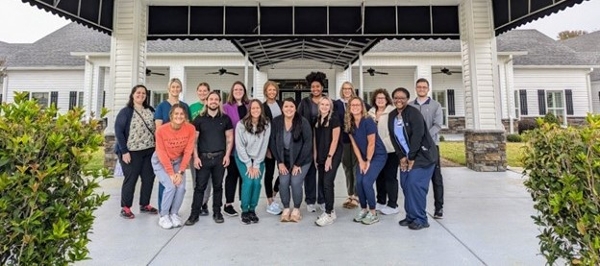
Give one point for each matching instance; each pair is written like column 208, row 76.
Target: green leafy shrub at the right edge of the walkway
column 563, row 165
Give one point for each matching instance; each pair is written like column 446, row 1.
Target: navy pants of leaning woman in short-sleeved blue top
column 364, row 182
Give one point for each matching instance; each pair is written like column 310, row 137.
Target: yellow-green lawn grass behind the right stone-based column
column 455, row 151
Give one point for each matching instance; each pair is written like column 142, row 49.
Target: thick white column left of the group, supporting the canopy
column 127, row 62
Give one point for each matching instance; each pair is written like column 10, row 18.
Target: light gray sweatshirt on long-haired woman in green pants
column 251, row 148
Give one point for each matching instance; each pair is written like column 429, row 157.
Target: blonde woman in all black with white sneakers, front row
column 328, row 155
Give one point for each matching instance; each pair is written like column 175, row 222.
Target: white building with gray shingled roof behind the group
column 537, row 74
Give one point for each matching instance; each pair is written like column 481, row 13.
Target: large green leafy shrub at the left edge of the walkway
column 48, row 199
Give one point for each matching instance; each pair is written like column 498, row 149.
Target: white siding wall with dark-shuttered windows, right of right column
column 533, row 80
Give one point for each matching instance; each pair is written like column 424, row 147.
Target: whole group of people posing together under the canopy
column 376, row 144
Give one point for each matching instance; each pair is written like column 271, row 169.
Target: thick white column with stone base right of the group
column 485, row 144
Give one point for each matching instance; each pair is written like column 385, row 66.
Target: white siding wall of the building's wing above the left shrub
column 62, row 81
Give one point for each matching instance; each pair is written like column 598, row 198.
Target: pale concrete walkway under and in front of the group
column 486, row 222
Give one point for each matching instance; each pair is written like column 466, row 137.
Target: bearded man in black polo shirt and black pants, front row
column 214, row 133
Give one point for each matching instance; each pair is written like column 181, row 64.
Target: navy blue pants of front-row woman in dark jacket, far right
column 415, row 185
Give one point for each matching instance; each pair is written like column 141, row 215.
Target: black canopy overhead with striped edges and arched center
column 272, row 31
